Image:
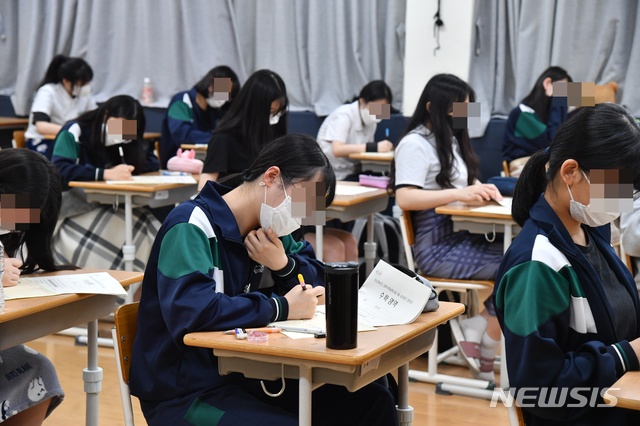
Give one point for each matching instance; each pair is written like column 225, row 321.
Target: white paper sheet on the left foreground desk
column 93, row 283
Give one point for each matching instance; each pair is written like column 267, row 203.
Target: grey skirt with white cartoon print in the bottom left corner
column 27, row 378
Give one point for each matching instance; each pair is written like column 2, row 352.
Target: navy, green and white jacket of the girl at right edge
column 557, row 322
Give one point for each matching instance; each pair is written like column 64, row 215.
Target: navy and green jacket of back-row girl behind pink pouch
column 186, row 123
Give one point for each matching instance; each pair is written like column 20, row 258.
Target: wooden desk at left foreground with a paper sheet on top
column 23, row 320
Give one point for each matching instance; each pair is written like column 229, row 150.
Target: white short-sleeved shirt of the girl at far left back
column 52, row 99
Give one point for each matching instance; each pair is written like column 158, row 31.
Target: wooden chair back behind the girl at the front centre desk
column 124, row 333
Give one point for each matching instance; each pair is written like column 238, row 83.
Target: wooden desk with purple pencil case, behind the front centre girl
column 351, row 207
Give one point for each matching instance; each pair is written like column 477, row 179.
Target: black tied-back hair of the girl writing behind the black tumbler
column 299, row 158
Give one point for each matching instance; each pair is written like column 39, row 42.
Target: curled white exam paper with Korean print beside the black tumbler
column 390, row 297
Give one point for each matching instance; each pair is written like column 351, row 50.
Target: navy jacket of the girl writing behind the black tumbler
column 200, row 278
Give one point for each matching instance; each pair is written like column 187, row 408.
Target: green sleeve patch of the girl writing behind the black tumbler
column 184, row 250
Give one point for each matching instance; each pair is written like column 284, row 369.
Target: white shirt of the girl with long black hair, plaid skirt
column 417, row 162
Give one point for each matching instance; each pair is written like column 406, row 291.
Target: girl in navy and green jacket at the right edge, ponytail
column 567, row 305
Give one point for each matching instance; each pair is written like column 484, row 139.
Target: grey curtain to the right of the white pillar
column 515, row 40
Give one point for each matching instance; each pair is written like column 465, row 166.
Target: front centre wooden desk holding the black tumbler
column 309, row 360
